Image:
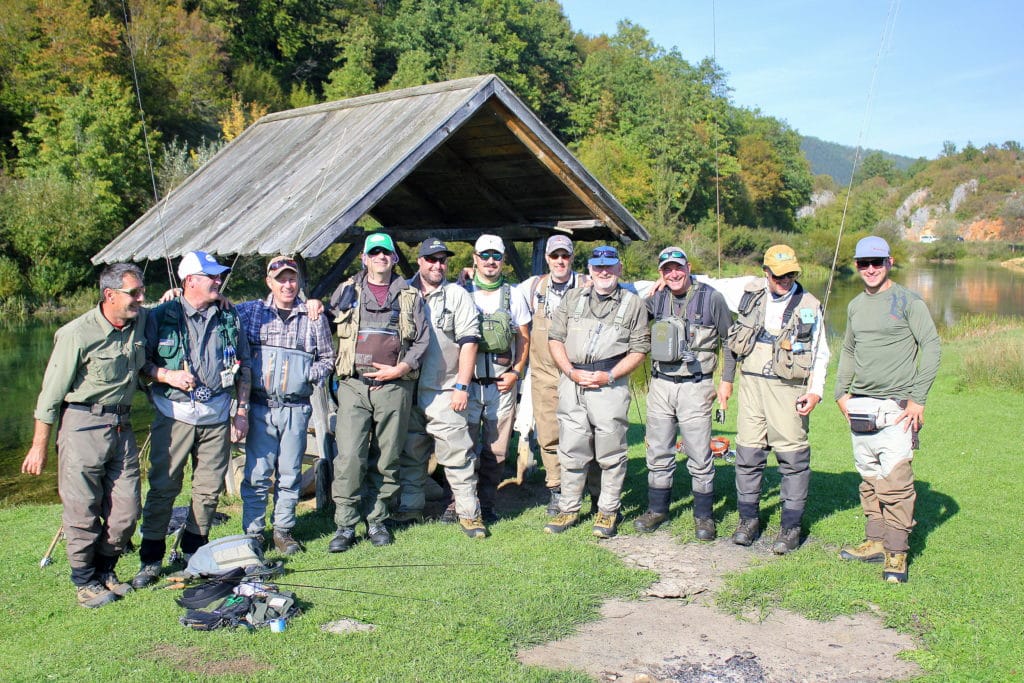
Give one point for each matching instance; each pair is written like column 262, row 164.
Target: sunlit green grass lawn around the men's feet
column 465, row 620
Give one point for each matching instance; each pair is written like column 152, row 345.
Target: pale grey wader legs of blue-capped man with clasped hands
column 592, row 428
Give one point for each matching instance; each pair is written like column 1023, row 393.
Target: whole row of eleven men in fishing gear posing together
column 429, row 367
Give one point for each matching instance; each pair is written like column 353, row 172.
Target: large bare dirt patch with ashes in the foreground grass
column 689, row 639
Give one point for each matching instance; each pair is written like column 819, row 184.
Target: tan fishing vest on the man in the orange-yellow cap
column 787, row 354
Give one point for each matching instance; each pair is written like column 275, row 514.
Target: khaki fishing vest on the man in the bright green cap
column 361, row 346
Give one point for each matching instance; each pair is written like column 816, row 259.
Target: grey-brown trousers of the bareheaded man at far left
column 100, row 485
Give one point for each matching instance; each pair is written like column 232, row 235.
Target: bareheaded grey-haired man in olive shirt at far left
column 88, row 391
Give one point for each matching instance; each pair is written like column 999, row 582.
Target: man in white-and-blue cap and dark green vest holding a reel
column 197, row 357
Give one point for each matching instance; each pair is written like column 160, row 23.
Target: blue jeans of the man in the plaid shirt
column 276, row 444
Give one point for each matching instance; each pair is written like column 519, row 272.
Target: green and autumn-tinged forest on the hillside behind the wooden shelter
column 107, row 105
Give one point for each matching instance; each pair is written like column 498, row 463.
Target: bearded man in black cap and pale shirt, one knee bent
column 439, row 424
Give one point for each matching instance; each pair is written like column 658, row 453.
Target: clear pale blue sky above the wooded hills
column 947, row 71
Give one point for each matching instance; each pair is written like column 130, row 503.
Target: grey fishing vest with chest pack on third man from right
column 688, row 345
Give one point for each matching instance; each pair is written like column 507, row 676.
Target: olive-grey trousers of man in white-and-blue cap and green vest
column 174, row 445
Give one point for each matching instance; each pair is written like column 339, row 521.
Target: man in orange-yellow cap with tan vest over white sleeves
column 779, row 341
